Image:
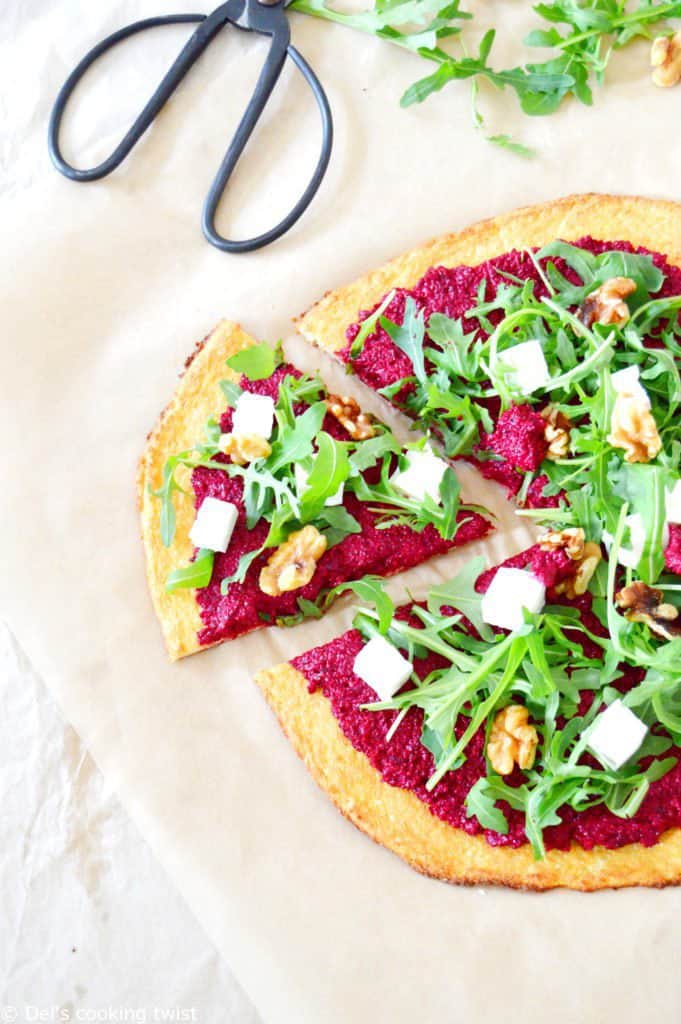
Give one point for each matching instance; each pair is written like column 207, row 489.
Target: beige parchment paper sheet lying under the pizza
column 105, row 288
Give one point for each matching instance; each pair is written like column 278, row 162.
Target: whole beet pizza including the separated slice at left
column 522, row 724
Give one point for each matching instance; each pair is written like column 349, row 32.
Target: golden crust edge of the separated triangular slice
column 180, row 425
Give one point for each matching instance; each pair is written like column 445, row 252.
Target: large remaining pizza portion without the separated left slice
column 523, row 724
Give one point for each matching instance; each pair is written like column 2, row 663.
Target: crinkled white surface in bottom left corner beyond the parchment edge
column 89, row 920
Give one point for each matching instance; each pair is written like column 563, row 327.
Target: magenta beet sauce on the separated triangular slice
column 385, row 552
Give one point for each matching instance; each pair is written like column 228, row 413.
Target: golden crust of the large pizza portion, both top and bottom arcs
column 396, row 818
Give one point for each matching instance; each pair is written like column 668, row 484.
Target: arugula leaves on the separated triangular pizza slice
column 270, row 489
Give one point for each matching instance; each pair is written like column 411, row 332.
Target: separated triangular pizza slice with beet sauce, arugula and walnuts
column 261, row 493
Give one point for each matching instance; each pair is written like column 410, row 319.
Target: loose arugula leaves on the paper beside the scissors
column 581, row 35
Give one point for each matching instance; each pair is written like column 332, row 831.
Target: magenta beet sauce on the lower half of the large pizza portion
column 404, row 762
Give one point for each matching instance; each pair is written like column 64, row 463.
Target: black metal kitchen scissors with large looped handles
column 267, row 18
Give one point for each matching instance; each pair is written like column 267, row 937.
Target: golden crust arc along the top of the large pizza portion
column 654, row 224
